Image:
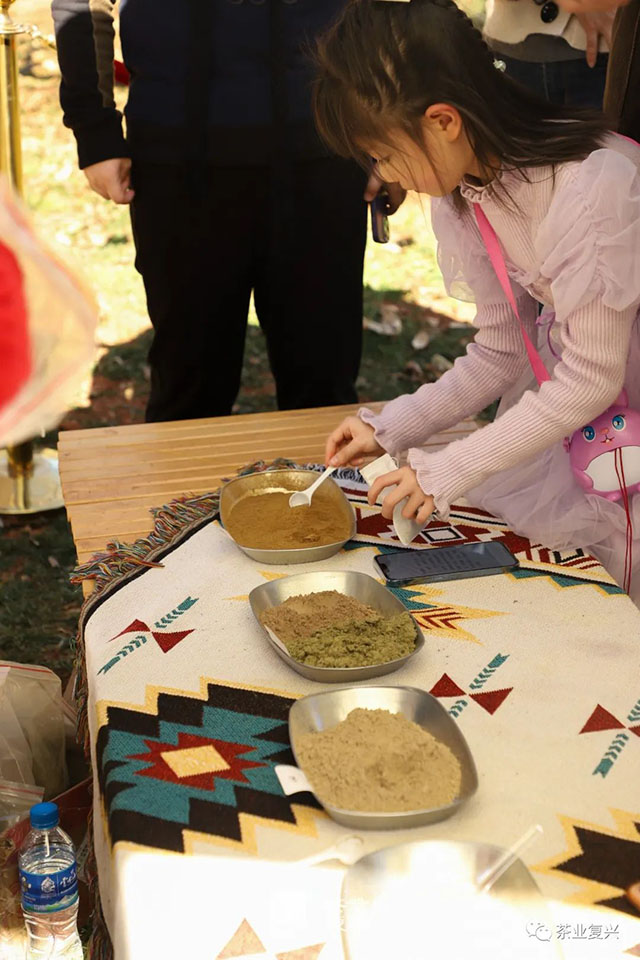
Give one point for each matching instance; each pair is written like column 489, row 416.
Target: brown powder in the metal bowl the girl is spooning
column 267, row 522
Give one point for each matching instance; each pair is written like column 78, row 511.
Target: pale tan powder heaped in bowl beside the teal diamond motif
column 379, row 762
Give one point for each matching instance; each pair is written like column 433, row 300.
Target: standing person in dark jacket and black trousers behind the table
column 231, row 191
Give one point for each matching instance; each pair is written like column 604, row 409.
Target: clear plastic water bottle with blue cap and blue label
column 49, row 886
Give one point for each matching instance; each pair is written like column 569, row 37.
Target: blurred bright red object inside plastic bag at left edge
column 15, row 348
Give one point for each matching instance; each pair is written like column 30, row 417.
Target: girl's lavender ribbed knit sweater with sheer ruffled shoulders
column 571, row 239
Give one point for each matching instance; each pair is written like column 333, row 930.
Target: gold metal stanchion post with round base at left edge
column 29, row 482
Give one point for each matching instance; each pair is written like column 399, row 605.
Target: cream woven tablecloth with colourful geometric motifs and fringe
column 199, row 852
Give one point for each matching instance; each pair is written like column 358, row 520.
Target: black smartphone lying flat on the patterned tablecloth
column 404, row 567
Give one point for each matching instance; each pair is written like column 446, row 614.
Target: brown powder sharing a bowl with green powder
column 300, row 616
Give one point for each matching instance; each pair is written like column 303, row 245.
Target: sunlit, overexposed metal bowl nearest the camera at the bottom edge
column 422, row 900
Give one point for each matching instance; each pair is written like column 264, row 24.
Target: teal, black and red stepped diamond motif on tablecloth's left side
column 204, row 765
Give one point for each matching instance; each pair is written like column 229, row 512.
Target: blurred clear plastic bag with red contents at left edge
column 54, row 356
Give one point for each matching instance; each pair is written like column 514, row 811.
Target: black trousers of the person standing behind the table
column 202, row 251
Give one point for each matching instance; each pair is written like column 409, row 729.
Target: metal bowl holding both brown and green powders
column 358, row 585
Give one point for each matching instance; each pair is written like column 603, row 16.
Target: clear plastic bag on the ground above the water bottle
column 32, row 727
